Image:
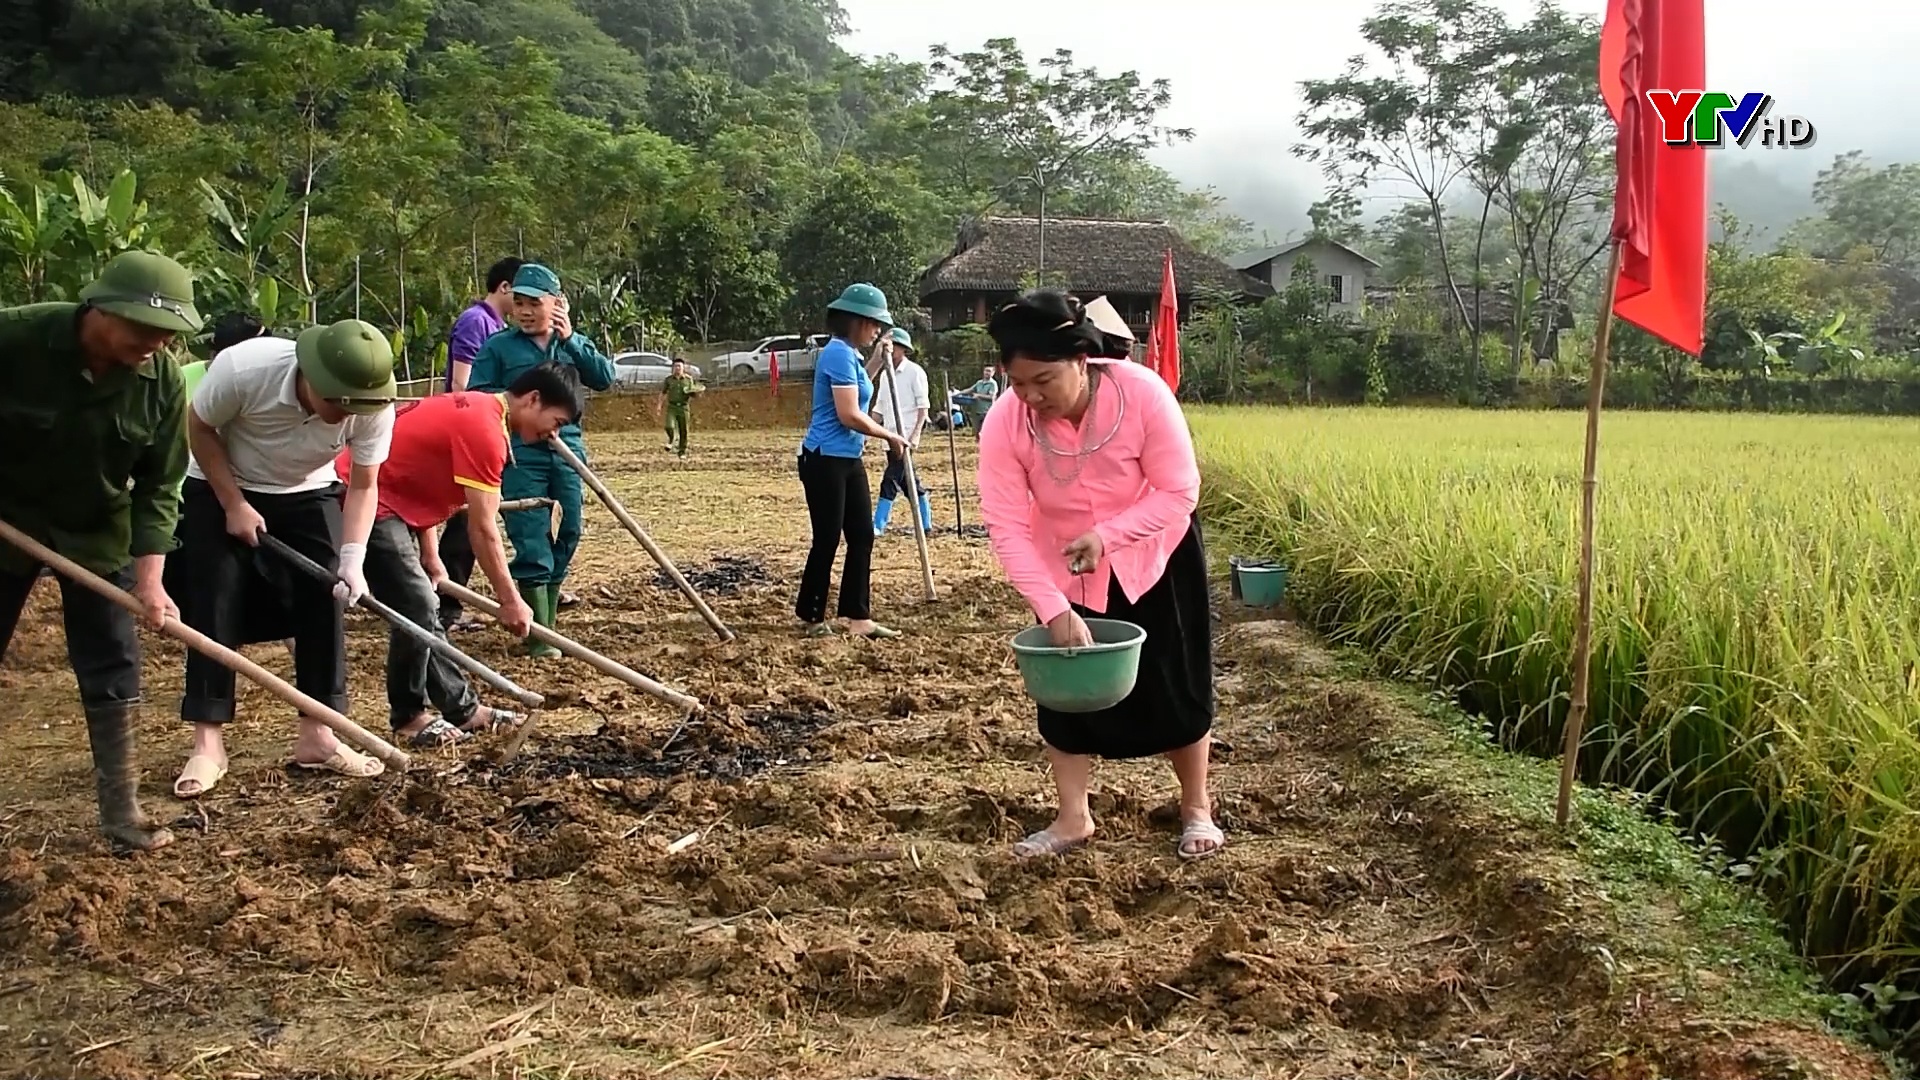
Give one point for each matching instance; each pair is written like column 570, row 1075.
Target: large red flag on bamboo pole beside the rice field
column 1660, row 209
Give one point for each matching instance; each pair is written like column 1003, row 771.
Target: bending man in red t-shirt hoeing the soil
column 450, row 453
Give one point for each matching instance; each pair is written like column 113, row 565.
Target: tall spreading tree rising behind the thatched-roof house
column 1009, row 135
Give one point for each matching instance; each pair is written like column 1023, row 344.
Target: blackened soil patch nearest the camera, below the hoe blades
column 723, row 749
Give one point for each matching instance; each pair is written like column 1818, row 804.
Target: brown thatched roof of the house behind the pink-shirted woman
column 1122, row 260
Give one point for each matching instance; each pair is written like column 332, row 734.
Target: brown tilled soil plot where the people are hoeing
column 850, row 910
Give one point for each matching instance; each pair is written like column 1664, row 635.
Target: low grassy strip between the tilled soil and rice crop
column 1650, row 918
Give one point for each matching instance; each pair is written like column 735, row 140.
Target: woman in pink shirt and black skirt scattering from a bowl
column 1088, row 464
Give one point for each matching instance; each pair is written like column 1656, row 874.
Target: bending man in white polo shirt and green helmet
column 264, row 430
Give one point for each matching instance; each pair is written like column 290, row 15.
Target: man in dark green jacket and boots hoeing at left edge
column 91, row 464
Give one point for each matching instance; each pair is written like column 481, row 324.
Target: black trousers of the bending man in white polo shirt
column 241, row 595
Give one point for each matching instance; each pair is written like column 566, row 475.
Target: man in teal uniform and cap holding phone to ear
column 542, row 331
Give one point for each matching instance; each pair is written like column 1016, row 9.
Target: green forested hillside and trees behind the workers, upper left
column 704, row 166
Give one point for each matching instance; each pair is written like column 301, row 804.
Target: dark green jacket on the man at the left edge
column 91, row 468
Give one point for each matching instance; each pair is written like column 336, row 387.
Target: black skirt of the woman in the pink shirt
column 1172, row 702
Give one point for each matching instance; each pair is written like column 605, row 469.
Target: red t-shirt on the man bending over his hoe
column 443, row 447
